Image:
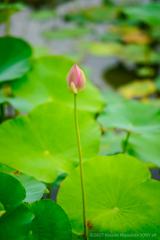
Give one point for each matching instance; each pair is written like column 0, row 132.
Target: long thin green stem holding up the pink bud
column 81, row 168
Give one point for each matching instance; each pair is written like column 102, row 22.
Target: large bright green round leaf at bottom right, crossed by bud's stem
column 120, row 197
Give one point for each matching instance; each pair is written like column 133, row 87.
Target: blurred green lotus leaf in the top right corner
column 145, row 13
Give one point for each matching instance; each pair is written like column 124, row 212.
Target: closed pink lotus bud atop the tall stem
column 76, row 80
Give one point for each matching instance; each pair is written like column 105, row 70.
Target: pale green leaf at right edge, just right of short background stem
column 145, row 148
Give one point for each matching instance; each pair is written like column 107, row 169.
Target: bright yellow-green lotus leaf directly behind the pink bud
column 47, row 81
